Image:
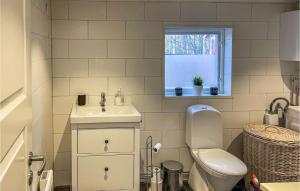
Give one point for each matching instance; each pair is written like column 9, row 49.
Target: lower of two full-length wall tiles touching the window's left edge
column 143, row 67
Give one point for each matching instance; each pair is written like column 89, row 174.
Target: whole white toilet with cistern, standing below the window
column 214, row 169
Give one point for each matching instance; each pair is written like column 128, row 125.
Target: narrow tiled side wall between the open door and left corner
column 42, row 131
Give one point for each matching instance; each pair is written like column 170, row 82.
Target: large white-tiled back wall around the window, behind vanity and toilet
column 104, row 45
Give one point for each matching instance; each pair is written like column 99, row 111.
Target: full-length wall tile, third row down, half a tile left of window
column 125, row 49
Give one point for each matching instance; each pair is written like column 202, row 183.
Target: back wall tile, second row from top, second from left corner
column 106, row 30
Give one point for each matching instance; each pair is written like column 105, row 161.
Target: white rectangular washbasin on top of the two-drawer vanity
column 113, row 114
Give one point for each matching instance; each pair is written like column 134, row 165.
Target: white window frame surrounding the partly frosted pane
column 181, row 30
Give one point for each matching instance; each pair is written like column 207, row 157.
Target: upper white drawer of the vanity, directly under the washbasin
column 105, row 140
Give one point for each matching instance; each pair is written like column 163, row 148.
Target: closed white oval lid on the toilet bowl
column 221, row 162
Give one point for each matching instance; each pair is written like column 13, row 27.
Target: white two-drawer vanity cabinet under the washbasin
column 105, row 156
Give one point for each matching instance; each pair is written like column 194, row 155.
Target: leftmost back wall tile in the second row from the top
column 69, row 29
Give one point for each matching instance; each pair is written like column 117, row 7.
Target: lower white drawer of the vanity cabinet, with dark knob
column 105, row 172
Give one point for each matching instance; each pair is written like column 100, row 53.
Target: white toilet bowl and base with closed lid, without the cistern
column 215, row 170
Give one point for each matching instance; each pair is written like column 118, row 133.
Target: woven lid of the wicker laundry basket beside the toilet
column 271, row 132
